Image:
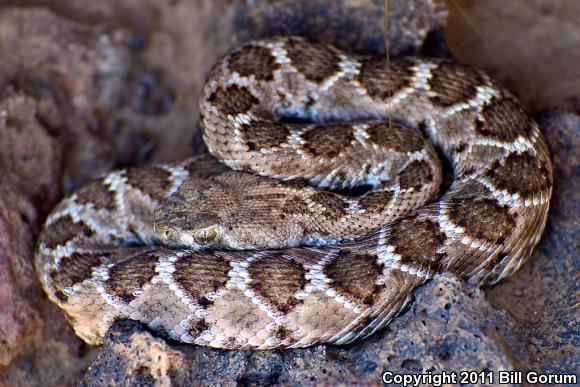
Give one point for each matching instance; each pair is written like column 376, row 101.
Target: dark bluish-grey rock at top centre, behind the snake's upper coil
column 353, row 25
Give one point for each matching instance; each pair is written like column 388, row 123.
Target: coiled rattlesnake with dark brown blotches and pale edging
column 305, row 113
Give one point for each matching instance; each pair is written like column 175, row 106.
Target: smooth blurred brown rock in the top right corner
column 531, row 46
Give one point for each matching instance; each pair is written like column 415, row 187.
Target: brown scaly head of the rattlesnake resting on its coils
column 233, row 211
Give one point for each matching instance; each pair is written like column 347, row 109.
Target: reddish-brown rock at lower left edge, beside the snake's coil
column 36, row 342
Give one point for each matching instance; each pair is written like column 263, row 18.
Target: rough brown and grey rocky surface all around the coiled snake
column 84, row 89
